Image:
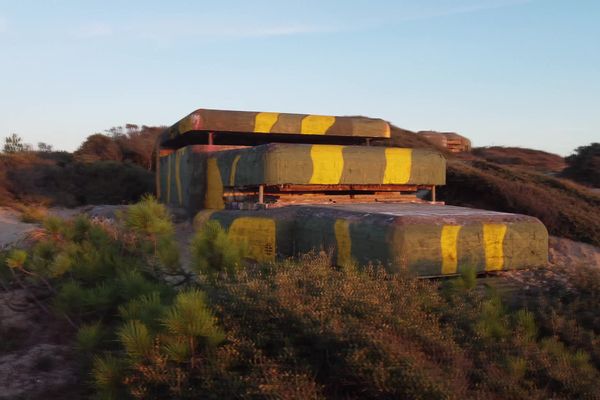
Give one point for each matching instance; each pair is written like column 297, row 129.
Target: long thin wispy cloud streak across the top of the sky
column 222, row 26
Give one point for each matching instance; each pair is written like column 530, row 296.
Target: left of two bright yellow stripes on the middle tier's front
column 328, row 164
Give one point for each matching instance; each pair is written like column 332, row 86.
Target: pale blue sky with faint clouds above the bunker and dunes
column 501, row 72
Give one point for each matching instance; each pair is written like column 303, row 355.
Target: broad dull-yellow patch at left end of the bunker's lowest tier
column 258, row 234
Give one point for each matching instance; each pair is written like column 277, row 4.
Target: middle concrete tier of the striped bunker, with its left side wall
column 196, row 180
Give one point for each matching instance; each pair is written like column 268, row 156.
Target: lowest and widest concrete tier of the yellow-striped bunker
column 428, row 240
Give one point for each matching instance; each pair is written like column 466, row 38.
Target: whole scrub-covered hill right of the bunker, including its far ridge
column 517, row 180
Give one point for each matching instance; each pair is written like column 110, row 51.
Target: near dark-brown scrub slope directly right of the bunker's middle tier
column 567, row 210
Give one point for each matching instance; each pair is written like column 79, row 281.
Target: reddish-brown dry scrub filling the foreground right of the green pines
column 348, row 335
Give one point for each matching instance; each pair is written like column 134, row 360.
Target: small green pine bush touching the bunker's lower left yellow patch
column 214, row 253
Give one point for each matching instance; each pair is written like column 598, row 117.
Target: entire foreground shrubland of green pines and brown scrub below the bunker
column 147, row 328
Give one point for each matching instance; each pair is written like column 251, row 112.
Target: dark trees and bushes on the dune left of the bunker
column 107, row 169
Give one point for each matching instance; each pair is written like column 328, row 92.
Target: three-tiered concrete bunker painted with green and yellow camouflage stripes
column 286, row 184
